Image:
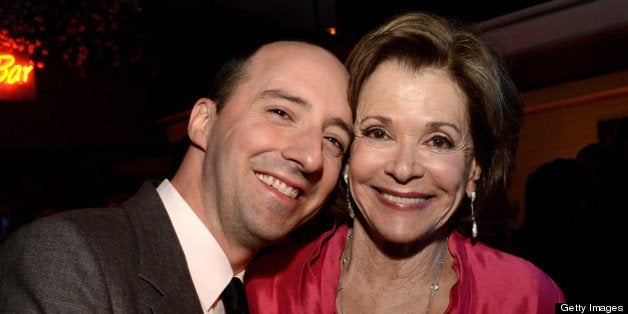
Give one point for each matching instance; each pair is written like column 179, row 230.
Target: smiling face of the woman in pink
column 412, row 158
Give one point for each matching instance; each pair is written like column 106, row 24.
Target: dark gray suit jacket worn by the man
column 108, row 260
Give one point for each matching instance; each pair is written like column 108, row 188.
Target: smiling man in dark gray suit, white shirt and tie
column 267, row 146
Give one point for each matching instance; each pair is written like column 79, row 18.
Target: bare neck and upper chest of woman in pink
column 375, row 281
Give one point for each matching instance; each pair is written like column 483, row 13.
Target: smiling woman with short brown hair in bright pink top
column 436, row 127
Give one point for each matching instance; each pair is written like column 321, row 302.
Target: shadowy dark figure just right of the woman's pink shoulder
column 559, row 206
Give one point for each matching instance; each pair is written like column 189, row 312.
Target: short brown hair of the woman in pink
column 421, row 40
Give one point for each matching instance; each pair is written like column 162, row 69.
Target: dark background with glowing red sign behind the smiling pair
column 111, row 81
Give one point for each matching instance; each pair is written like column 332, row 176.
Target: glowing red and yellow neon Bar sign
column 17, row 78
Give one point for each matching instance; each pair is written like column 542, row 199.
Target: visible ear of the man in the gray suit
column 201, row 119
